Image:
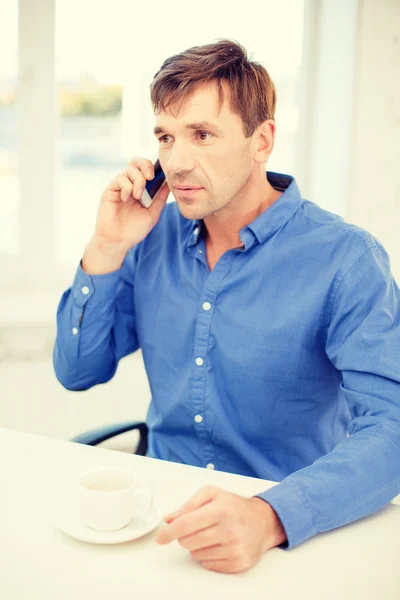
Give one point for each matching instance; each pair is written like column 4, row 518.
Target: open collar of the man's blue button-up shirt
column 272, row 219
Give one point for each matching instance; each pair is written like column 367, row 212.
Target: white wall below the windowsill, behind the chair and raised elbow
column 33, row 400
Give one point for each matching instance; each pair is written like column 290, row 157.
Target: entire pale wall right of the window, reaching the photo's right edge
column 348, row 142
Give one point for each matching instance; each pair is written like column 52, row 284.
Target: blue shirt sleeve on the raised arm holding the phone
column 95, row 326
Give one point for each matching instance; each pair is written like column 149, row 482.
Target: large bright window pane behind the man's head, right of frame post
column 104, row 77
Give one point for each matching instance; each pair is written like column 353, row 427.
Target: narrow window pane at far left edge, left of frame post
column 9, row 187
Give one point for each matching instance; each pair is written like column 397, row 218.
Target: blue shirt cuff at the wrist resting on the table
column 295, row 513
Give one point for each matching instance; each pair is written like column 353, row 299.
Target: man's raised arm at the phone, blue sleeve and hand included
column 95, row 318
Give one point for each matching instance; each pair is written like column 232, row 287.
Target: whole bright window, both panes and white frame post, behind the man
column 81, row 75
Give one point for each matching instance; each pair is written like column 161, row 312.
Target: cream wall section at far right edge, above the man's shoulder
column 374, row 182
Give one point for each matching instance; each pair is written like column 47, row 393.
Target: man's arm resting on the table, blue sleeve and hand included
column 228, row 533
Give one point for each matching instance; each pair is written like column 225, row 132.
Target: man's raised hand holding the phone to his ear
column 122, row 221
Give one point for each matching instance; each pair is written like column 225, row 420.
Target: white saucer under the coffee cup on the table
column 72, row 526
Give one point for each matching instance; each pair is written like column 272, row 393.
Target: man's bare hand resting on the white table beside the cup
column 224, row 531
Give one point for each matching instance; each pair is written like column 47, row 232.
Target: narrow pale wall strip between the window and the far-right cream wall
column 326, row 101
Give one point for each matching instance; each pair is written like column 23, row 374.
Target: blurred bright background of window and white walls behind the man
column 74, row 108
